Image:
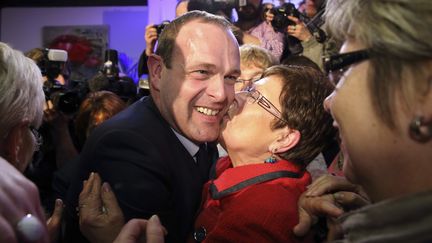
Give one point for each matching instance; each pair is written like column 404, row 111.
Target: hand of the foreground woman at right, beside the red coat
column 328, row 196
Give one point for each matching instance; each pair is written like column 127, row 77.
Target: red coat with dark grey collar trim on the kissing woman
column 251, row 203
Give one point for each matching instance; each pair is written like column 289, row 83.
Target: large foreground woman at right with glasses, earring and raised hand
column 382, row 107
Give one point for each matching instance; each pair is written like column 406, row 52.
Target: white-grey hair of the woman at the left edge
column 21, row 93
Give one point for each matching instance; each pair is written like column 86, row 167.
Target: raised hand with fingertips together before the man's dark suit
column 100, row 217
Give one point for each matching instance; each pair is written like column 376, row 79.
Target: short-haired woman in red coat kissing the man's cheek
column 271, row 132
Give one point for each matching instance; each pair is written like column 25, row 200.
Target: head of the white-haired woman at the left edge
column 21, row 107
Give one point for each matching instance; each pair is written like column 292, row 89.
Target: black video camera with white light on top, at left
column 64, row 99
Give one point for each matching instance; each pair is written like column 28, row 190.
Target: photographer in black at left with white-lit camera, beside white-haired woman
column 57, row 147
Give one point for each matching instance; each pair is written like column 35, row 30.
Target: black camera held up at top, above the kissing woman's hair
column 280, row 21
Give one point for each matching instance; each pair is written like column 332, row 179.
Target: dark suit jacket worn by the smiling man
column 148, row 168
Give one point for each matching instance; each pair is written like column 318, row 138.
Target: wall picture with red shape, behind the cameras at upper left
column 85, row 46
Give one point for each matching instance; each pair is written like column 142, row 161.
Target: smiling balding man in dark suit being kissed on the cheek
column 147, row 152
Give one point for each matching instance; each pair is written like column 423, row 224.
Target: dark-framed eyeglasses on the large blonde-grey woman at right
column 336, row 65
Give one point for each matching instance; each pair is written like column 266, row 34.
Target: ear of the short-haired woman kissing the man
column 287, row 138
